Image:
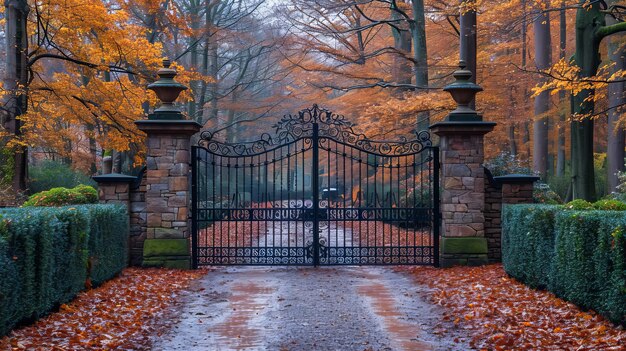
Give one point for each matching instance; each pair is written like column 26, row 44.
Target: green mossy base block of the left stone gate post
column 166, row 253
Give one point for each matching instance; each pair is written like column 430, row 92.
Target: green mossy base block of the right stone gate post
column 464, row 251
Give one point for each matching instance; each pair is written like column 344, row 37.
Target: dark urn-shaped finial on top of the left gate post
column 167, row 90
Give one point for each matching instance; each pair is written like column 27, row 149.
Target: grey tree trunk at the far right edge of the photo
column 615, row 143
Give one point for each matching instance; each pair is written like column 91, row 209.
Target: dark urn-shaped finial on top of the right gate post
column 463, row 91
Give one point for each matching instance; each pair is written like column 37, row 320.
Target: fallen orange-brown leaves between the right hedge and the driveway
column 502, row 314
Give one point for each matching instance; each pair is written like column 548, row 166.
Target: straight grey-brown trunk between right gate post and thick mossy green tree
column 543, row 60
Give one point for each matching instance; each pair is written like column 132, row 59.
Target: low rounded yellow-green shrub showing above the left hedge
column 82, row 194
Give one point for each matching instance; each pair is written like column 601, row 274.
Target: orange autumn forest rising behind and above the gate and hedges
column 75, row 76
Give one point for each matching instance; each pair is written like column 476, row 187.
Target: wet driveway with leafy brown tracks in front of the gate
column 289, row 308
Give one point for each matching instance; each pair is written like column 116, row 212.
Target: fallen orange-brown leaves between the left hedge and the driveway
column 122, row 314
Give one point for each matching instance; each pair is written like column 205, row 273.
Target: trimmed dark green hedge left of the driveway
column 44, row 256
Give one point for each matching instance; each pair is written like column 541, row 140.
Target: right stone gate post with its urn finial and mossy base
column 463, row 177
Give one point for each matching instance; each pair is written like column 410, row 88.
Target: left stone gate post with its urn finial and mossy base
column 167, row 183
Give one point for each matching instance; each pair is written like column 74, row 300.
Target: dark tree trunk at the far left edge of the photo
column 16, row 76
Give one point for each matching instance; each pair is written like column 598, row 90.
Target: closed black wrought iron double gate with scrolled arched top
column 315, row 193
